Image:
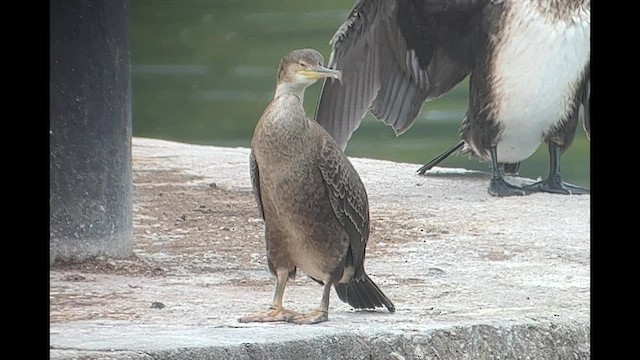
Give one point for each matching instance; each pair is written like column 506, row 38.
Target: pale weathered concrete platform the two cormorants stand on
column 472, row 276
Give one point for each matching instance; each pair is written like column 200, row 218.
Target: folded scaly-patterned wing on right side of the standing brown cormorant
column 348, row 199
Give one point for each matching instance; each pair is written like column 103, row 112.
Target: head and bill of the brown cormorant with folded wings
column 301, row 68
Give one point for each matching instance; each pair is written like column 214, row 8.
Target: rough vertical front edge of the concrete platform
column 536, row 340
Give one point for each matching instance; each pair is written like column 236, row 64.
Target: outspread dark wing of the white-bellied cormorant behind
column 394, row 55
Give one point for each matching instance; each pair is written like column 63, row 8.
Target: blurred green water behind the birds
column 203, row 72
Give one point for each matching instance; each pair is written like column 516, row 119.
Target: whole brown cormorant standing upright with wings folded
column 312, row 200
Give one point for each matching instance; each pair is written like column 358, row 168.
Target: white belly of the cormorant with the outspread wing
column 537, row 70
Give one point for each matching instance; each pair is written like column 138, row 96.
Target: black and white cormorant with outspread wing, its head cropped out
column 528, row 62
